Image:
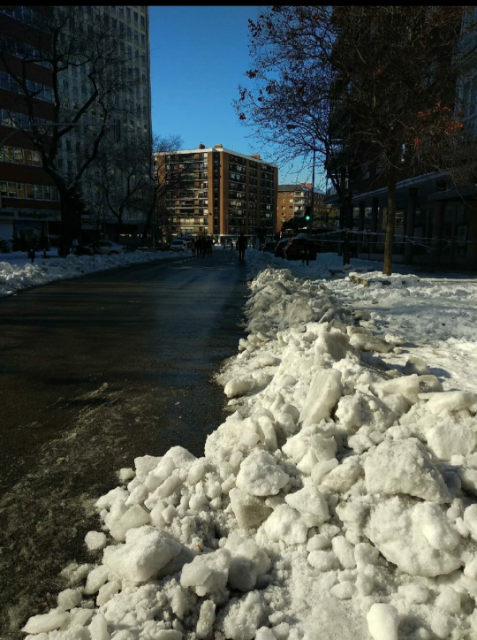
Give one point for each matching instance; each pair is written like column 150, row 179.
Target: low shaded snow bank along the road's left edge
column 14, row 277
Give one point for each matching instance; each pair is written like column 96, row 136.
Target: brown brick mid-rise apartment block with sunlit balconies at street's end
column 217, row 191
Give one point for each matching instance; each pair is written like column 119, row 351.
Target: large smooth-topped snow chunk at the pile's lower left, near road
column 146, row 551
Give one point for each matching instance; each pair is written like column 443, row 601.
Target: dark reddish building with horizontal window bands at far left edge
column 29, row 202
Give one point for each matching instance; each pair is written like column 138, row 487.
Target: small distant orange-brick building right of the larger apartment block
column 293, row 200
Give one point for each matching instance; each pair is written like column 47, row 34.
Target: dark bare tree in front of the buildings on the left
column 80, row 37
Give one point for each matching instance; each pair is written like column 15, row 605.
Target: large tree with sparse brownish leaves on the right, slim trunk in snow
column 366, row 85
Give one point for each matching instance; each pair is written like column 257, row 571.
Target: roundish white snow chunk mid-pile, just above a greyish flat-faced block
column 259, row 475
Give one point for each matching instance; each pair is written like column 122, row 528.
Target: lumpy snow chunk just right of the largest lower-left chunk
column 207, row 573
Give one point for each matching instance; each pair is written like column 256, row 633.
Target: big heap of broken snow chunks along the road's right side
column 338, row 500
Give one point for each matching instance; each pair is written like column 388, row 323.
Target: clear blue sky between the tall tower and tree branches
column 199, row 56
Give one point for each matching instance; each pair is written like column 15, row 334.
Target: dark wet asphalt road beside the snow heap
column 95, row 371
